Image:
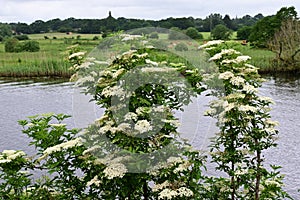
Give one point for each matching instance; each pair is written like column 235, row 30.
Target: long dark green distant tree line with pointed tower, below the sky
column 111, row 24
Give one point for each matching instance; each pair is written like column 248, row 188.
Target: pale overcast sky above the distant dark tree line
column 30, row 10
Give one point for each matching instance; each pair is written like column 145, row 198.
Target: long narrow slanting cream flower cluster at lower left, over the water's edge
column 63, row 146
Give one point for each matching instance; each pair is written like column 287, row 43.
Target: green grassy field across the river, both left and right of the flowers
column 51, row 59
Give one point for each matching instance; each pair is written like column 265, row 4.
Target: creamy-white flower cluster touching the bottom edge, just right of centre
column 180, row 192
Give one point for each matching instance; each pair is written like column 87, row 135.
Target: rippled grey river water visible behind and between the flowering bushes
column 22, row 98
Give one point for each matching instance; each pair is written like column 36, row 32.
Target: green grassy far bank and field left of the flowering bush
column 49, row 61
